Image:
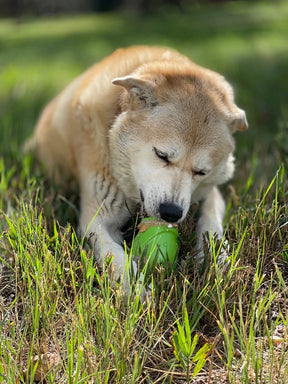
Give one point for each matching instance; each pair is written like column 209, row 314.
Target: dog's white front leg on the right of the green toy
column 210, row 221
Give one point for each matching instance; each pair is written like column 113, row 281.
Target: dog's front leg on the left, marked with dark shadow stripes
column 104, row 211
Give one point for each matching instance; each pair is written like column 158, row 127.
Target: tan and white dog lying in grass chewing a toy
column 144, row 126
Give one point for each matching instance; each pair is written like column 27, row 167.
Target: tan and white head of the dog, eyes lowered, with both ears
column 173, row 140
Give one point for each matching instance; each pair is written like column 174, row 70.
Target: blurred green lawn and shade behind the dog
column 42, row 47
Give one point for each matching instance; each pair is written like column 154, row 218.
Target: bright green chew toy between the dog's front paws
column 156, row 243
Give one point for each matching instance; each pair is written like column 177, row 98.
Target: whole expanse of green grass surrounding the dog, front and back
column 61, row 321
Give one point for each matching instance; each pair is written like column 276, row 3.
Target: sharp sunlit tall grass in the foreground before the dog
column 63, row 320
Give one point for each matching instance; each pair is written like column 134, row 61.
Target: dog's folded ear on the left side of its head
column 142, row 91
